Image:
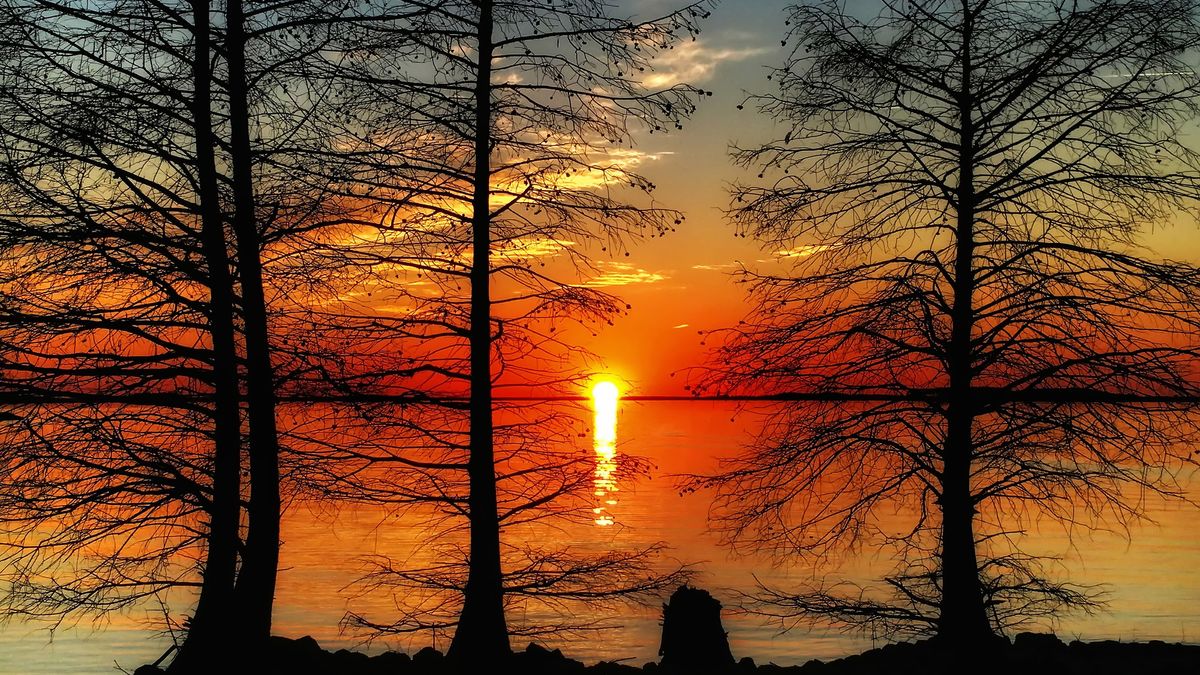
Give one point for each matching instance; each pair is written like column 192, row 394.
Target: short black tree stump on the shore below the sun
column 693, row 637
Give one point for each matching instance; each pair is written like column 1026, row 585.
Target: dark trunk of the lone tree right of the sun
column 963, row 618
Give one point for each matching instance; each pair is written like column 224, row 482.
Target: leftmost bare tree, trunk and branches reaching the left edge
column 117, row 288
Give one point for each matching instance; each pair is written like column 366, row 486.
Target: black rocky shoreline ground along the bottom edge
column 1028, row 655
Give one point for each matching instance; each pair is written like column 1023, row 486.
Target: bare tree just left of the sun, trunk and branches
column 502, row 129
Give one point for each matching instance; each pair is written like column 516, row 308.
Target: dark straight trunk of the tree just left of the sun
column 482, row 635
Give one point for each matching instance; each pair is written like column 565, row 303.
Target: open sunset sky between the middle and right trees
column 682, row 284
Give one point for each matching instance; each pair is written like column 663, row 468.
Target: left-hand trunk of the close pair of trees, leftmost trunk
column 209, row 634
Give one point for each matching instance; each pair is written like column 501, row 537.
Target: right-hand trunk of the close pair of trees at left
column 256, row 583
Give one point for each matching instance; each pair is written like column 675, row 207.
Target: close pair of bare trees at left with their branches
column 149, row 336
